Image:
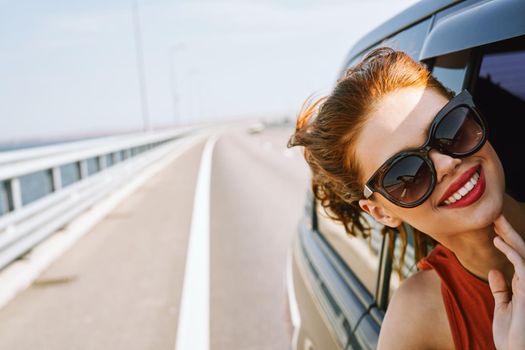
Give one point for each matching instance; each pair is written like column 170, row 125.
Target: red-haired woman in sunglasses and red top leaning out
column 391, row 141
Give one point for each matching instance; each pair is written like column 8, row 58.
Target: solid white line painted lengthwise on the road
column 193, row 330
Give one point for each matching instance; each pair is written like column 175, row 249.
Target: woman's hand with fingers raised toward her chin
column 509, row 312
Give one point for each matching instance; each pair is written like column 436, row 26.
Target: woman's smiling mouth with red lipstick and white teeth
column 466, row 190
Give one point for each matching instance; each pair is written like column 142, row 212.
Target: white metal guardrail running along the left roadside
column 42, row 189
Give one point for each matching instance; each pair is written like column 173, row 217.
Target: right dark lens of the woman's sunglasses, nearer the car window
column 460, row 131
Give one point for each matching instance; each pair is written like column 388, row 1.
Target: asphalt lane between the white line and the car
column 257, row 196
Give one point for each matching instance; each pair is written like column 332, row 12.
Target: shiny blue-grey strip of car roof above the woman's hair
column 404, row 19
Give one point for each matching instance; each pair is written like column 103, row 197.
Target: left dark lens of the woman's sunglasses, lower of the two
column 408, row 179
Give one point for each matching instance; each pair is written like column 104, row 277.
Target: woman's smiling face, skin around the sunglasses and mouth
column 399, row 121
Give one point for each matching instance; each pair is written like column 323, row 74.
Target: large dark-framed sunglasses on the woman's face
column 408, row 178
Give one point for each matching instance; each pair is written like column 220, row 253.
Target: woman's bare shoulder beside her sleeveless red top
column 416, row 318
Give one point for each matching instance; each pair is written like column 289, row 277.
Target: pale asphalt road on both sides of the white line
column 119, row 287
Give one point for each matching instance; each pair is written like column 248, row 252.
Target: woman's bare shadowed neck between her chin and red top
column 476, row 251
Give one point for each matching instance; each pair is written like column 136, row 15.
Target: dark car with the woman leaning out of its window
column 340, row 285
